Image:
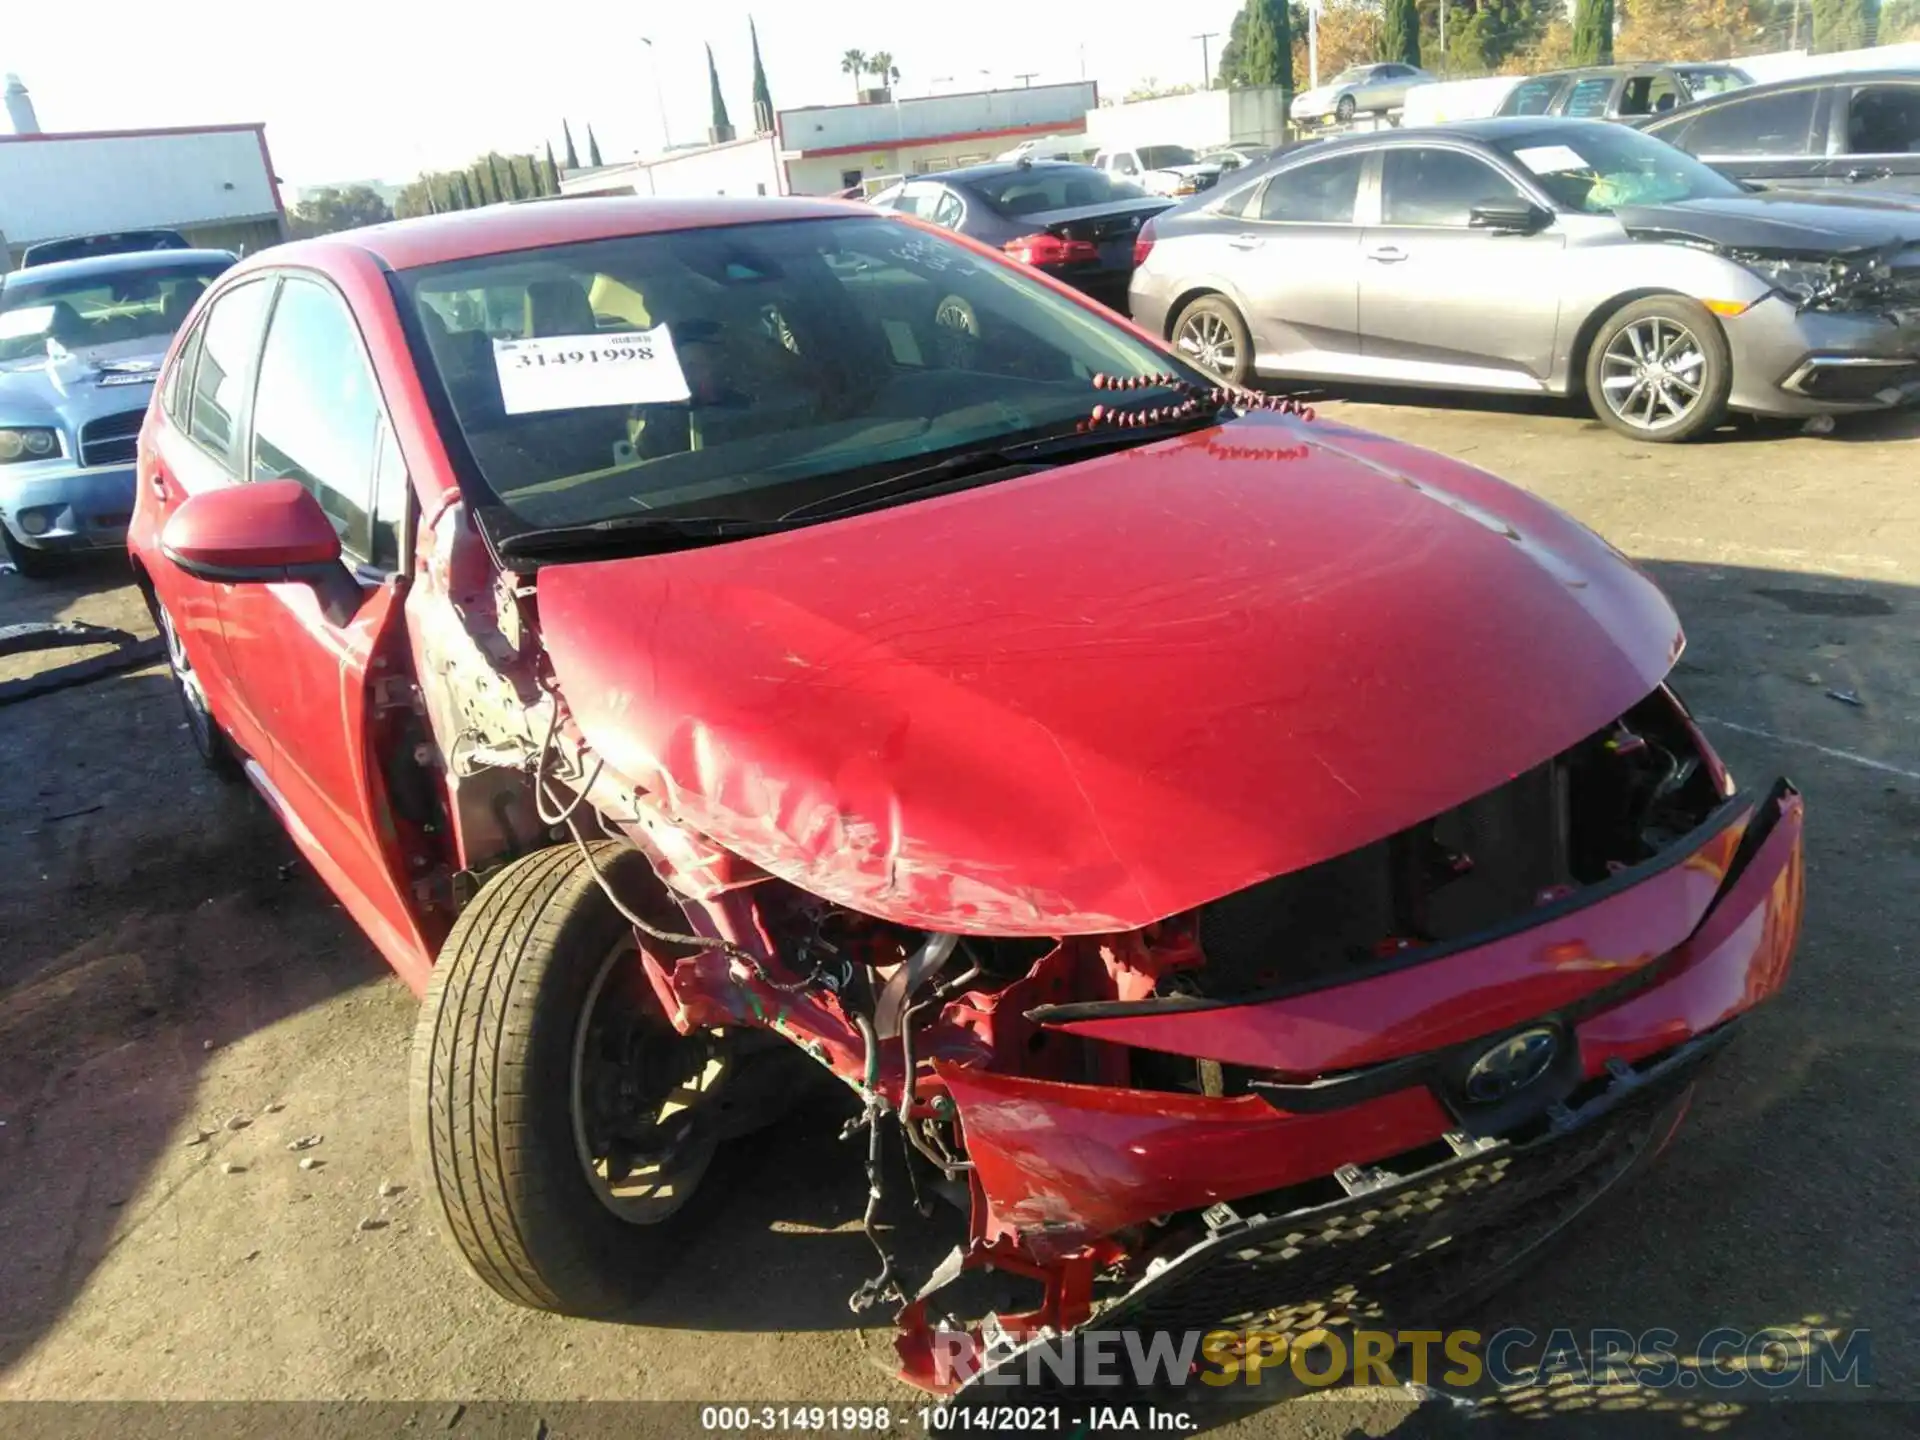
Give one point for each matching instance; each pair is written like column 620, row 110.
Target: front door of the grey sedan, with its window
column 1445, row 302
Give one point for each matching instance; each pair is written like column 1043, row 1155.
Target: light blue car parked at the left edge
column 80, row 348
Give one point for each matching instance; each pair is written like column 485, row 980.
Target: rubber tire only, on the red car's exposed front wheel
column 494, row 1095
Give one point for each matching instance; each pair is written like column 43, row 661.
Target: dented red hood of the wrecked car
column 1097, row 696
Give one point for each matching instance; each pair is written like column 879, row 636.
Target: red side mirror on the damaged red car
column 252, row 535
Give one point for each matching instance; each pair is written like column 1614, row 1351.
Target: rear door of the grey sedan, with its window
column 1295, row 260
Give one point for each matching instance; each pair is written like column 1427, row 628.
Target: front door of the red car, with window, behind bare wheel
column 314, row 660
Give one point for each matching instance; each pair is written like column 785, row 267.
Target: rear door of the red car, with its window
column 195, row 448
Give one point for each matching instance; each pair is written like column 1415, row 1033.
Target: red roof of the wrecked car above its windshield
column 554, row 222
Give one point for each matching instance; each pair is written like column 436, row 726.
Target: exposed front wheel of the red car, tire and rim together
column 560, row 1120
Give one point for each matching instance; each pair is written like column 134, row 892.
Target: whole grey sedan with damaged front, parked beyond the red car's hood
column 1543, row 256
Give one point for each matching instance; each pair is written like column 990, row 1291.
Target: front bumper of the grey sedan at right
column 1790, row 362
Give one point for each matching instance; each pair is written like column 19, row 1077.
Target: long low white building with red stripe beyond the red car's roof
column 823, row 151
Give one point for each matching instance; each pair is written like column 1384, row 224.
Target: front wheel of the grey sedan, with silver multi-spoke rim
column 1660, row 370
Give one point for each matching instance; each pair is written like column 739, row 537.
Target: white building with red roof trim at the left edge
column 212, row 183
